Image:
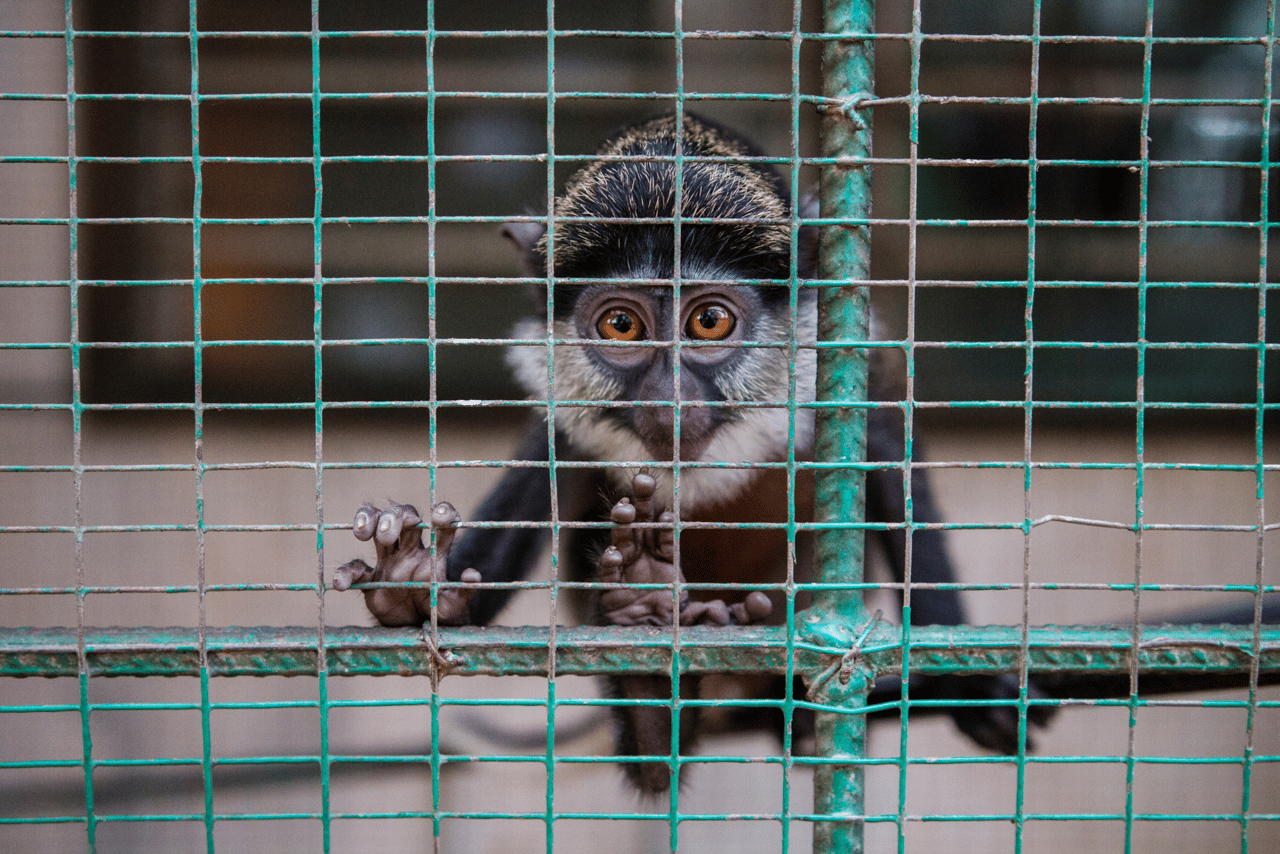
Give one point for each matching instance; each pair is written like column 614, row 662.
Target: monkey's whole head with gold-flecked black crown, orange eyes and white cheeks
column 644, row 331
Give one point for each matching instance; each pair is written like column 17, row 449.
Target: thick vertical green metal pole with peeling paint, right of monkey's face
column 842, row 432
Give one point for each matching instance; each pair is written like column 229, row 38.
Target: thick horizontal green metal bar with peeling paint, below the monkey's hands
column 350, row 651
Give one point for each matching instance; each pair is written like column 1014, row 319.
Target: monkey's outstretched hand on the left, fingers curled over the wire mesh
column 403, row 558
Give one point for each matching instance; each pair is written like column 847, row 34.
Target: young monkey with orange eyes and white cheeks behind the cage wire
column 612, row 252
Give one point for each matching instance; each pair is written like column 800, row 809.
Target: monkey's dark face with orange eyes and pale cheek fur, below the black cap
column 632, row 364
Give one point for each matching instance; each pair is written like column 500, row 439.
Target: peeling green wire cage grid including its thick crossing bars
column 89, row 652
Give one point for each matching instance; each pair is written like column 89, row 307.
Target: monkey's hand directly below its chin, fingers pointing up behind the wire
column 647, row 556
